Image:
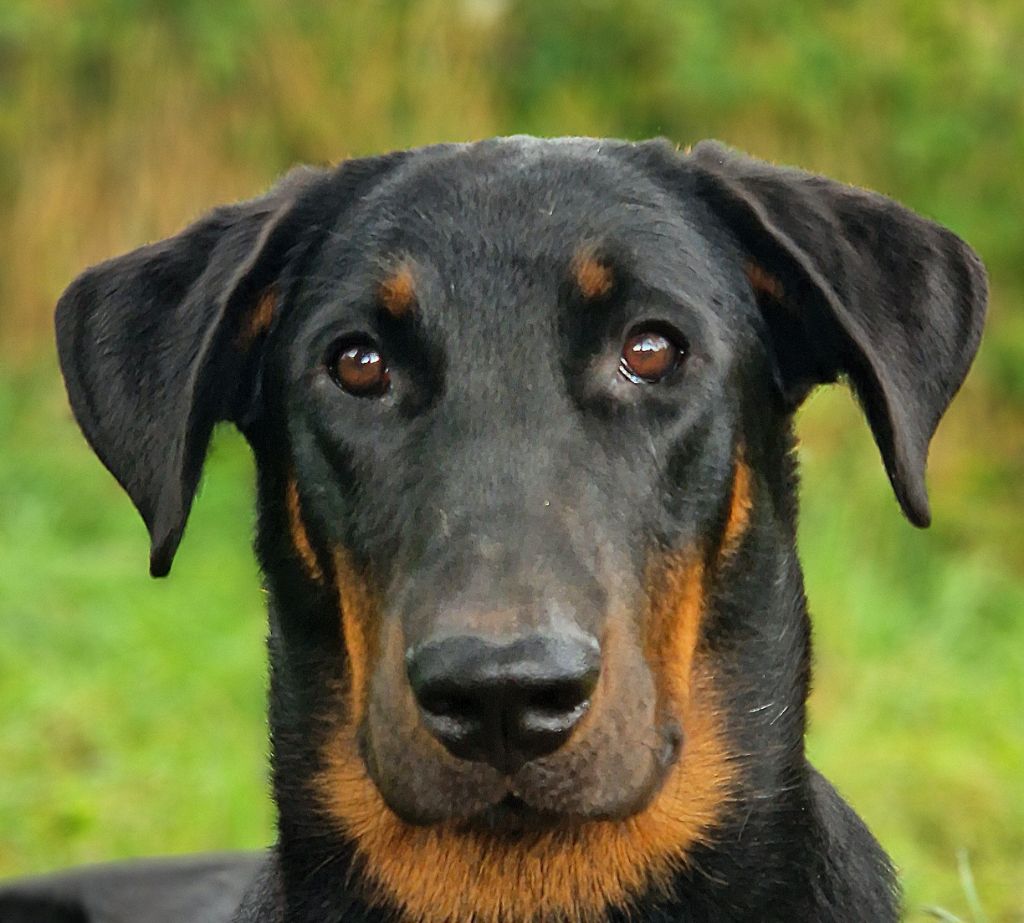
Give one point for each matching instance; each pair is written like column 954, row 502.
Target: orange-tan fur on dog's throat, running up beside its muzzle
column 443, row 875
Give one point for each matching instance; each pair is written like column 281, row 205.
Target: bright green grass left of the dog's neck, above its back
column 134, row 712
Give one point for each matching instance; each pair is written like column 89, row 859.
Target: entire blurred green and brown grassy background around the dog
column 132, row 712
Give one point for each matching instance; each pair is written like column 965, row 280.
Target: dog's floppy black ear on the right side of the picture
column 855, row 284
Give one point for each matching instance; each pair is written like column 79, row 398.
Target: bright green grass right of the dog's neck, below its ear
column 919, row 670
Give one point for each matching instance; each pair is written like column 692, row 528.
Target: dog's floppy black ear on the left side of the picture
column 157, row 347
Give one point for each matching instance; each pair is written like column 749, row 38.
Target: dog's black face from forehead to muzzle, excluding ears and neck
column 526, row 404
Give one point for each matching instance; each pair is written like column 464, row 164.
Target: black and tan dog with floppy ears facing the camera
column 523, row 418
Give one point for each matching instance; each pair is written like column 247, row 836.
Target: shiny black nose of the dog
column 504, row 704
